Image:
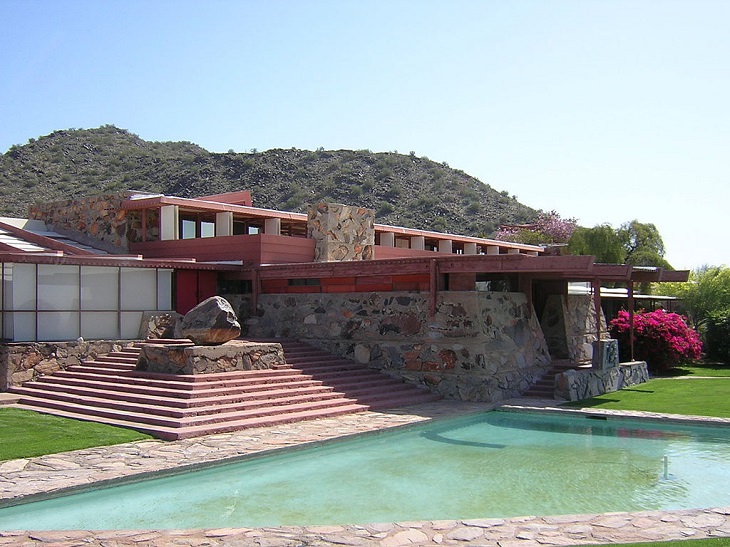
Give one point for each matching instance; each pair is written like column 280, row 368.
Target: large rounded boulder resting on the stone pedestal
column 211, row 322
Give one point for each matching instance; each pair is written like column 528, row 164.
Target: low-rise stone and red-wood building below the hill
column 470, row 318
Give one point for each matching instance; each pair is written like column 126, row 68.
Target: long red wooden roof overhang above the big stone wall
column 427, row 274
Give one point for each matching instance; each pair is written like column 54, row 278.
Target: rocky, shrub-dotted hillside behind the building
column 404, row 190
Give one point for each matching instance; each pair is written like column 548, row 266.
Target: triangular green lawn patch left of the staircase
column 24, row 433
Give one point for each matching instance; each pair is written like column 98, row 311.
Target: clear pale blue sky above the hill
column 606, row 111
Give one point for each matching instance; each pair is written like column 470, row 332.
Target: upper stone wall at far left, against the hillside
column 100, row 219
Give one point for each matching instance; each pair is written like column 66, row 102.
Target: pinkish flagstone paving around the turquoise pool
column 36, row 477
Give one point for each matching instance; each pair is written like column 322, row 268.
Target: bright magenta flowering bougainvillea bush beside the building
column 661, row 338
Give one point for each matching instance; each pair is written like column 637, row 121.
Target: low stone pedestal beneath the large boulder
column 181, row 358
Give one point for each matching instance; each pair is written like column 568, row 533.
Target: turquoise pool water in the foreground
column 495, row 464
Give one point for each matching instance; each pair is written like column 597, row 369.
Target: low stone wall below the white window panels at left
column 25, row 361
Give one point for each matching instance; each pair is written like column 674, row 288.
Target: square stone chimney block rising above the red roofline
column 341, row 232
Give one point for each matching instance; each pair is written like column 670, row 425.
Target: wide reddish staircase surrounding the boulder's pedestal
column 312, row 384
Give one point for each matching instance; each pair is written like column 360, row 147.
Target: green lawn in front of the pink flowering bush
column 693, row 396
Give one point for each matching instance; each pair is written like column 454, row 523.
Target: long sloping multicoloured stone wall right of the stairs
column 479, row 346
